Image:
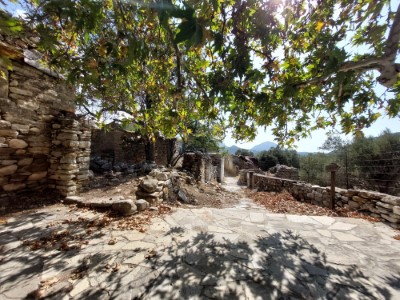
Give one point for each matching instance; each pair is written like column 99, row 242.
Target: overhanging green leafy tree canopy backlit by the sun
column 295, row 65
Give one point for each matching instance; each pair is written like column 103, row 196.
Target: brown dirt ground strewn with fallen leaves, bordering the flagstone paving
column 201, row 195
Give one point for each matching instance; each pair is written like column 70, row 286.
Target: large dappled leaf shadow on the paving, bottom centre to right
column 275, row 266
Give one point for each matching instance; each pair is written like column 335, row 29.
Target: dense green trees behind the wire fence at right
column 369, row 162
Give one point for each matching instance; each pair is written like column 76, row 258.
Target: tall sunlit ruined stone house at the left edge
column 43, row 144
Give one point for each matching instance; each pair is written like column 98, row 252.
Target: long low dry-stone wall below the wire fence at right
column 382, row 206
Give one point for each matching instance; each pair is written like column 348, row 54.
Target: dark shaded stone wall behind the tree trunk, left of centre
column 109, row 144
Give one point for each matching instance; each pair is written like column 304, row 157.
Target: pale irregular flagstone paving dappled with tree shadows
column 240, row 252
